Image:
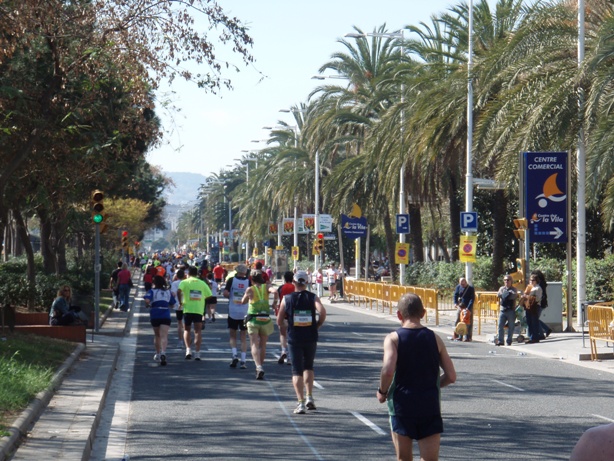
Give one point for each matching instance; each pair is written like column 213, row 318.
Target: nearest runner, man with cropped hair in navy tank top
column 410, row 382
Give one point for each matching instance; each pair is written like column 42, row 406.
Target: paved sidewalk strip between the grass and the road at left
column 61, row 422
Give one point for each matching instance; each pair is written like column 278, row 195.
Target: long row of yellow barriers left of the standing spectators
column 386, row 294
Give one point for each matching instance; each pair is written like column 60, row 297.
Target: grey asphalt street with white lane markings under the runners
column 505, row 405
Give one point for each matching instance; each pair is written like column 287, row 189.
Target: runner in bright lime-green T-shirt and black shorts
column 192, row 293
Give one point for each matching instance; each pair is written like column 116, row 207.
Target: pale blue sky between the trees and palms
column 292, row 40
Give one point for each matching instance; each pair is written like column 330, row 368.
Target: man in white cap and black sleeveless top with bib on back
column 300, row 309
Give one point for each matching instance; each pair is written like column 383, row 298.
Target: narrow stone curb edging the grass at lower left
column 20, row 427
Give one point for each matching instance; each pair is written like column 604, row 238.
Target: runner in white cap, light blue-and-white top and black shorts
column 236, row 286
